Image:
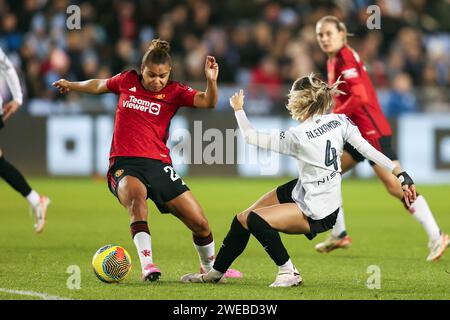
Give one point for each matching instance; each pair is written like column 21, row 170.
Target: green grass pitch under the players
column 84, row 216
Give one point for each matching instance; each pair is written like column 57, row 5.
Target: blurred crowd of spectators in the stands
column 261, row 45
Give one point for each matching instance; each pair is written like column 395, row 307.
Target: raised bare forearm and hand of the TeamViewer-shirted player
column 208, row 99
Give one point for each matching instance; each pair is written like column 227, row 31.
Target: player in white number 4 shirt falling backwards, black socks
column 312, row 204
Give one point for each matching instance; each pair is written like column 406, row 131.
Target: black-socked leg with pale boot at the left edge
column 18, row 182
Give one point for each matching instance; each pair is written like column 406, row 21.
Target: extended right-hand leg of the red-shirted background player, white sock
column 438, row 242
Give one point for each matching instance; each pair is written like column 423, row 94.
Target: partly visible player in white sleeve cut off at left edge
column 8, row 172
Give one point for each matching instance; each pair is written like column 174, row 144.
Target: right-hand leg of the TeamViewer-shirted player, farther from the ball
column 186, row 208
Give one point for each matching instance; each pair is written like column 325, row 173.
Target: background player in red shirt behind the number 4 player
column 359, row 102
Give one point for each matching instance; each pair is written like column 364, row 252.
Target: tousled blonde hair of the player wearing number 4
column 310, row 96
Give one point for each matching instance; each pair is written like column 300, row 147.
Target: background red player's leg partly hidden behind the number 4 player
column 339, row 239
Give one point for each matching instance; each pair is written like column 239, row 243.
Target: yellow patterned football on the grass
column 111, row 263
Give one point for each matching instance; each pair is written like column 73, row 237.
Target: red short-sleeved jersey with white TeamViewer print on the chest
column 142, row 122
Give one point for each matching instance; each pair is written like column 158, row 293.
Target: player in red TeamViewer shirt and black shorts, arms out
column 140, row 164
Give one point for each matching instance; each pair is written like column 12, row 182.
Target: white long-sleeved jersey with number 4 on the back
column 317, row 144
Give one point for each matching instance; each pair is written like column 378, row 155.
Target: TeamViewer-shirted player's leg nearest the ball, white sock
column 132, row 194
